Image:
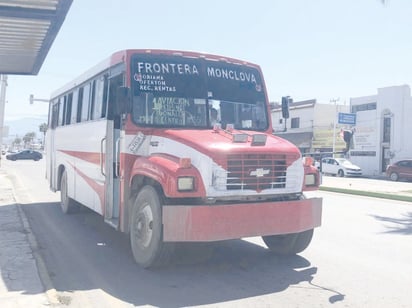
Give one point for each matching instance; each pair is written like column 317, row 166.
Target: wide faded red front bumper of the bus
column 185, row 223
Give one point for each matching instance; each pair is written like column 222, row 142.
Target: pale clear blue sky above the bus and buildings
column 319, row 49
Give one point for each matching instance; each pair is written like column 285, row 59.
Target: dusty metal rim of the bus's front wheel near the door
column 144, row 226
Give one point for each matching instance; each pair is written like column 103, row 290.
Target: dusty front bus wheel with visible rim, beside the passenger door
column 146, row 240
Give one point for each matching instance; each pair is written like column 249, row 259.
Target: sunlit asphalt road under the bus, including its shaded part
column 360, row 257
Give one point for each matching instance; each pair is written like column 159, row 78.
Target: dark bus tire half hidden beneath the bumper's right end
column 288, row 244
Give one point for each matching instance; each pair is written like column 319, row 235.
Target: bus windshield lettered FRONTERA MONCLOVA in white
column 178, row 92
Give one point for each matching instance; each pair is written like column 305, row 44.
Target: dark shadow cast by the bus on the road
column 199, row 274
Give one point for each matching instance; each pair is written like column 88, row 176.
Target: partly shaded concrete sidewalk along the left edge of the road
column 20, row 283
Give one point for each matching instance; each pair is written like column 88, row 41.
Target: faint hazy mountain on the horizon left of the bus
column 22, row 126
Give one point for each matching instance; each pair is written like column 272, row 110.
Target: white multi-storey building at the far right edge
column 381, row 134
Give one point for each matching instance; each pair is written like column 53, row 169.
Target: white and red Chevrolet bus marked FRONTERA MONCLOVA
column 134, row 140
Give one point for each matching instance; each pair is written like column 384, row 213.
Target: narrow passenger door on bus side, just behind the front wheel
column 111, row 164
